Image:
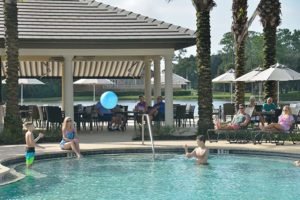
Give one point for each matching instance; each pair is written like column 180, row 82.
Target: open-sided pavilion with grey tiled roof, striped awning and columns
column 87, row 39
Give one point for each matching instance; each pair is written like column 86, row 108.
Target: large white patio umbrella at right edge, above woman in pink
column 277, row 72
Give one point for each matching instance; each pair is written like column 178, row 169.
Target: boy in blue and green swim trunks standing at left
column 31, row 143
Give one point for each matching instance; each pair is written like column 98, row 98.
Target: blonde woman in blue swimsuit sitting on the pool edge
column 69, row 140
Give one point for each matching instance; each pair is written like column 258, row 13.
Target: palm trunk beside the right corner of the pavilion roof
column 203, row 44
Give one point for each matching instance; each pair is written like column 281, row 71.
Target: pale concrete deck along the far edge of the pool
column 105, row 140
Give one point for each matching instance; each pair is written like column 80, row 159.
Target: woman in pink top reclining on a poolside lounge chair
column 285, row 121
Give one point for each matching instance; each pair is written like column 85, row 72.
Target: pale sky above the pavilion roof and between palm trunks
column 182, row 13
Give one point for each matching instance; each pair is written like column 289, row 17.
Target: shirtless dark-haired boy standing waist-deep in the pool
column 200, row 152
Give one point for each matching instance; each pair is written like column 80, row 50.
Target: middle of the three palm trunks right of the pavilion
column 239, row 13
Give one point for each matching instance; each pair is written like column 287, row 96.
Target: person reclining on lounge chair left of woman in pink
column 239, row 121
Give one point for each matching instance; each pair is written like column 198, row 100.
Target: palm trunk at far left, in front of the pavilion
column 12, row 121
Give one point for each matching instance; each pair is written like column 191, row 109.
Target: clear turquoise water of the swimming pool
column 169, row 176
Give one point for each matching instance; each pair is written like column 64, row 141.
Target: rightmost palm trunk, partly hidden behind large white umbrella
column 269, row 12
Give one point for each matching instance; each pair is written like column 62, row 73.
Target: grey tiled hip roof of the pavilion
column 92, row 24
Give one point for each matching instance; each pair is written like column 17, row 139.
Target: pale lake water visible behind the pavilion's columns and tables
column 130, row 103
